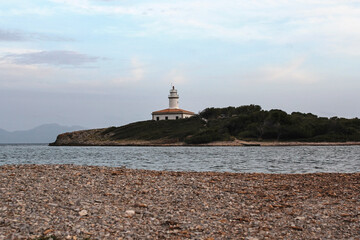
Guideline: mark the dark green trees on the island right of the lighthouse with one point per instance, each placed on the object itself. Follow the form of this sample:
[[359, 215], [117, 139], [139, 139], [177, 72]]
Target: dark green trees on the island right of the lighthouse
[[251, 122]]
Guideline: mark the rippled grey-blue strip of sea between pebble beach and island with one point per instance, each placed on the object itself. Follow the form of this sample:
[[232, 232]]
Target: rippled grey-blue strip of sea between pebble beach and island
[[231, 159]]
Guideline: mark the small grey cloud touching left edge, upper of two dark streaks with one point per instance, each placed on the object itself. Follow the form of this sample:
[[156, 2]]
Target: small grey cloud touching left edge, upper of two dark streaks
[[21, 36]]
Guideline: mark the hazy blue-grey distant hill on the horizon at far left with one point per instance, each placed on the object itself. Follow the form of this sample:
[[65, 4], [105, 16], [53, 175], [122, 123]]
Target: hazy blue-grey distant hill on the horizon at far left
[[42, 134]]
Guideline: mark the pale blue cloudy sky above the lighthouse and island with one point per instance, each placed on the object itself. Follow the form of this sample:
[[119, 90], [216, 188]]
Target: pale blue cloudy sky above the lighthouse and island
[[101, 63]]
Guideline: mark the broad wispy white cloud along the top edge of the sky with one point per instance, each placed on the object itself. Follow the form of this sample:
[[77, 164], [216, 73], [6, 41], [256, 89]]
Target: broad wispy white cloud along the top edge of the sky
[[275, 22]]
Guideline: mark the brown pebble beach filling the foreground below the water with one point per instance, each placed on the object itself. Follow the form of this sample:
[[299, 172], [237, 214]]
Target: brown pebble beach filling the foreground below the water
[[86, 202]]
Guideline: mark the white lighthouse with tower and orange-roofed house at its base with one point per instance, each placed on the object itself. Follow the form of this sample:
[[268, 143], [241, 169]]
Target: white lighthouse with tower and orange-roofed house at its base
[[173, 112]]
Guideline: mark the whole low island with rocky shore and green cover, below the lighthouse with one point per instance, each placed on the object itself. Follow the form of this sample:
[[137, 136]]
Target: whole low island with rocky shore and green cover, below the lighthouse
[[248, 125]]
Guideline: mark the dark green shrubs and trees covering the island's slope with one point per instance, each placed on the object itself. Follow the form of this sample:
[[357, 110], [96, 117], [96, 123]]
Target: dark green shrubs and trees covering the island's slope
[[246, 123]]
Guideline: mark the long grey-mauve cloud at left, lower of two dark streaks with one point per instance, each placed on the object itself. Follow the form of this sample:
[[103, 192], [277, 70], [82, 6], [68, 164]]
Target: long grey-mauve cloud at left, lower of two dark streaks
[[57, 58]]
